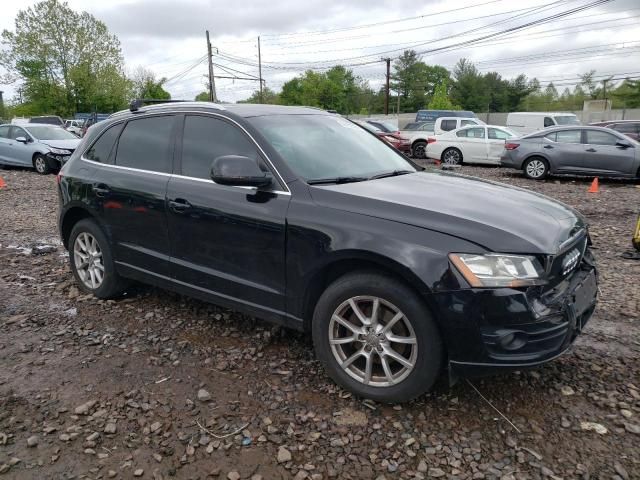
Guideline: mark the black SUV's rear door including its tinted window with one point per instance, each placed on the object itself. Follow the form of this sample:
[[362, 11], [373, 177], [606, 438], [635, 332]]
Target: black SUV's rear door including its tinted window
[[131, 189]]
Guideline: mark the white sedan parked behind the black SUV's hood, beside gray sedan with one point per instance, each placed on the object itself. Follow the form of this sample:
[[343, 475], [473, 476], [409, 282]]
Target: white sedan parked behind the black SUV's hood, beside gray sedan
[[471, 144]]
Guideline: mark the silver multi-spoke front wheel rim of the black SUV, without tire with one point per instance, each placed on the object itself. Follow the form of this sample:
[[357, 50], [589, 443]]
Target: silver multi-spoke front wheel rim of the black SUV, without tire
[[373, 341]]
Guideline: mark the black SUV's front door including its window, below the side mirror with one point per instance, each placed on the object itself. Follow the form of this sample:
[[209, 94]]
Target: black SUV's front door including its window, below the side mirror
[[227, 242]]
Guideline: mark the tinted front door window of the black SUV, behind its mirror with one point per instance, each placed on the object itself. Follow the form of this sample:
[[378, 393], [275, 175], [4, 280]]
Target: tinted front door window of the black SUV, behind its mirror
[[207, 138]]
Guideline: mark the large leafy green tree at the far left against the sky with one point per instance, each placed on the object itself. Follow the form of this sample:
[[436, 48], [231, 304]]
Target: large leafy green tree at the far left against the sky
[[61, 57]]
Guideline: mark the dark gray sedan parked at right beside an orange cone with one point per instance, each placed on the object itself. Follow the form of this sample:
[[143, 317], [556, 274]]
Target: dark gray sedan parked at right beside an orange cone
[[574, 150]]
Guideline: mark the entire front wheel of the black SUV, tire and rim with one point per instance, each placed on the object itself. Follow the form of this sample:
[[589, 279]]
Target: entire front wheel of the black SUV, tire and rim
[[376, 338]]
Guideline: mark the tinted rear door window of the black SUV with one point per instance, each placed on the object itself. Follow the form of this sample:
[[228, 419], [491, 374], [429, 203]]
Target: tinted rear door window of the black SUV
[[144, 144]]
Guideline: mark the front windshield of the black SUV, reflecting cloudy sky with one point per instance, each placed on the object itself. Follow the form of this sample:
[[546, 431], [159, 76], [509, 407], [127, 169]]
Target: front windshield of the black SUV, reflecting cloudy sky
[[320, 147]]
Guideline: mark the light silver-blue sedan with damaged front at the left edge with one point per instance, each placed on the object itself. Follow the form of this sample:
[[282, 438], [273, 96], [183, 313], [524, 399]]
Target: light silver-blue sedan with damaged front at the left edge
[[43, 147]]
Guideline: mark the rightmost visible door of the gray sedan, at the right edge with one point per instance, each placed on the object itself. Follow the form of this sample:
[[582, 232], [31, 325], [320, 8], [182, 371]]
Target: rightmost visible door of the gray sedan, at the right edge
[[602, 154]]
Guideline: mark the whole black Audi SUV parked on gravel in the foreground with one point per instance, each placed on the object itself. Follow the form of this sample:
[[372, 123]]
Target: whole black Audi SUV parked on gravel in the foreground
[[302, 218]]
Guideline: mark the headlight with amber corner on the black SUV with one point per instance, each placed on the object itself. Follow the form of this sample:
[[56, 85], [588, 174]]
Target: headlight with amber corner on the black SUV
[[498, 270]]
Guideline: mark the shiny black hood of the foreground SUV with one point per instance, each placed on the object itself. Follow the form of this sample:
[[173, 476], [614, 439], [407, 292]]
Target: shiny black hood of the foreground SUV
[[497, 217]]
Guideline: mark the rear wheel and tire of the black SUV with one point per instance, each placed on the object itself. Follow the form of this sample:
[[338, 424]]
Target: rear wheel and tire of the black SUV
[[92, 262]]
